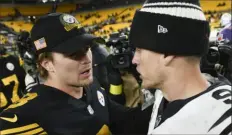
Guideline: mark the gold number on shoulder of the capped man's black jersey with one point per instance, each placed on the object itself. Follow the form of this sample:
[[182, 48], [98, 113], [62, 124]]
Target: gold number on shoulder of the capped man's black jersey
[[24, 100]]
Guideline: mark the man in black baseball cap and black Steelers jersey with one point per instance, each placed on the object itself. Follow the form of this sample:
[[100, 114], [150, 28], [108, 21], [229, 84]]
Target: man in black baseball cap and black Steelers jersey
[[70, 101]]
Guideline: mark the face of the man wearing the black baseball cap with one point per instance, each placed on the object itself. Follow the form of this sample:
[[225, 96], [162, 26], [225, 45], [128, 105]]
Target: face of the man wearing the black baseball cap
[[75, 69]]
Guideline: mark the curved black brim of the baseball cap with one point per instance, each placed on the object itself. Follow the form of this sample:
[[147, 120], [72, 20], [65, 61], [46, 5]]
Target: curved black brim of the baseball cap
[[74, 44]]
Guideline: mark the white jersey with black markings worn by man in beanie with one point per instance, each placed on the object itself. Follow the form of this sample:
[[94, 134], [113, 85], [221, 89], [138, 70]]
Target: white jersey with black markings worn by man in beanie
[[209, 113]]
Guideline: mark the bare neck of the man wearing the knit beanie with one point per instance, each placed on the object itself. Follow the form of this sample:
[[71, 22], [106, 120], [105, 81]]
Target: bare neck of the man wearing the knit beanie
[[183, 84]]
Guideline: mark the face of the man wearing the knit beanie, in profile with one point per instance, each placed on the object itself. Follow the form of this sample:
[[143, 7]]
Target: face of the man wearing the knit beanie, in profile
[[149, 66]]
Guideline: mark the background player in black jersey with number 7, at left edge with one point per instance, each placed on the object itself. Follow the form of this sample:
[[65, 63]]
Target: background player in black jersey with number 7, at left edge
[[12, 77]]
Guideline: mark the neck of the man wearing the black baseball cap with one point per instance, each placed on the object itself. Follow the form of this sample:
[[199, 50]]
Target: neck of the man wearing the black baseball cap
[[73, 91]]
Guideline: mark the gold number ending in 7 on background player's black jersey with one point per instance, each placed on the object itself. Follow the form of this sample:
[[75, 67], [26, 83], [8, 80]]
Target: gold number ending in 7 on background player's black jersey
[[6, 81]]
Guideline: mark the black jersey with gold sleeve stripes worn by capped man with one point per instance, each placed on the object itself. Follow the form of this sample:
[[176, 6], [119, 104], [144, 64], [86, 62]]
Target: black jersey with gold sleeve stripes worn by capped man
[[46, 110]]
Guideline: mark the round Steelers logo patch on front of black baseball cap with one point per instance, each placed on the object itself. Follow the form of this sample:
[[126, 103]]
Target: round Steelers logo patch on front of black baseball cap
[[69, 22]]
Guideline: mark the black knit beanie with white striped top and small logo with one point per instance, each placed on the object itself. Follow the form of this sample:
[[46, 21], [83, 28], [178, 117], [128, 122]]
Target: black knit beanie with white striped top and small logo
[[175, 27]]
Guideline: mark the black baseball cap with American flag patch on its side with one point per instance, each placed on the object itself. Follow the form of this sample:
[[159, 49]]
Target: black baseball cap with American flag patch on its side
[[59, 32]]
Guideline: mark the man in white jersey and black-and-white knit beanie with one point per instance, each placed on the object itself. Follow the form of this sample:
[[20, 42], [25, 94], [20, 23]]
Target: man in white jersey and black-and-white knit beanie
[[170, 39]]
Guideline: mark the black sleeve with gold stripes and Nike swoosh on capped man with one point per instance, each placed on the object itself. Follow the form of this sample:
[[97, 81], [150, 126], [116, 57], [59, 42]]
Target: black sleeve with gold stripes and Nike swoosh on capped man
[[19, 118]]
